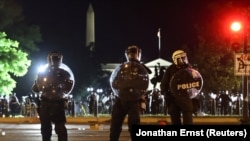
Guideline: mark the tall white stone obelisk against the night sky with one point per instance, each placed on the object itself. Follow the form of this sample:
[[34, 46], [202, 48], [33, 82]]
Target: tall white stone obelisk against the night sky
[[90, 28]]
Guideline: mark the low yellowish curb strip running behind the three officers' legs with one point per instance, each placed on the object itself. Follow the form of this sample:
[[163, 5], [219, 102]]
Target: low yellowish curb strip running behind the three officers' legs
[[145, 119]]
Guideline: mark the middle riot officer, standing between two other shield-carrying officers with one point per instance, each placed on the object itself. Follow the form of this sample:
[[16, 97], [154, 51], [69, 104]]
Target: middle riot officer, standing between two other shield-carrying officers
[[129, 81]]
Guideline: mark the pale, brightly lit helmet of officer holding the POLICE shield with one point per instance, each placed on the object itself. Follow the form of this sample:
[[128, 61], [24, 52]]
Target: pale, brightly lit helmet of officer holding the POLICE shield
[[180, 57]]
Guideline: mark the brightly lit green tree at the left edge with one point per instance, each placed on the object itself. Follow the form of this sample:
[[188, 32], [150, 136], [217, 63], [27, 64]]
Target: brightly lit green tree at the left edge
[[13, 62]]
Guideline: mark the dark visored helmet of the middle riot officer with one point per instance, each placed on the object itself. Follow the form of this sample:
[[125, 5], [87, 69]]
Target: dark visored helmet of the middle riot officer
[[133, 53]]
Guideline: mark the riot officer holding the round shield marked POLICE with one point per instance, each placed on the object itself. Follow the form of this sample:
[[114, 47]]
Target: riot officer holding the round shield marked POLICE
[[179, 101]]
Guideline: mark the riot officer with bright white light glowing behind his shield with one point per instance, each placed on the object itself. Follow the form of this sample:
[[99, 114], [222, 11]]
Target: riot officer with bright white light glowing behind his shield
[[54, 83]]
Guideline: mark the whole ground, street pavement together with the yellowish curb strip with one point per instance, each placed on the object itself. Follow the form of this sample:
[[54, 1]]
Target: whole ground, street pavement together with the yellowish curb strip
[[89, 128]]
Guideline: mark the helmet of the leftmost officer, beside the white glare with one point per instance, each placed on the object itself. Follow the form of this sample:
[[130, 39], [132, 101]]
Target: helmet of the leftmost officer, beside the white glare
[[55, 58]]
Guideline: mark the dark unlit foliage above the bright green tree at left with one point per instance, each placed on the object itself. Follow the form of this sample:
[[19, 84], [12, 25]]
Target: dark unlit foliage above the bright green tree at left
[[14, 24]]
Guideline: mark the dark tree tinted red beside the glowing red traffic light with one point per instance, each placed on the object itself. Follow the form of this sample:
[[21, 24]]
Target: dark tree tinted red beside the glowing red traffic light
[[214, 57]]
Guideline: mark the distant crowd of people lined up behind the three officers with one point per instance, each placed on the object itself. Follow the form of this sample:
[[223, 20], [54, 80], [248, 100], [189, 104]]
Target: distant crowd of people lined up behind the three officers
[[222, 103]]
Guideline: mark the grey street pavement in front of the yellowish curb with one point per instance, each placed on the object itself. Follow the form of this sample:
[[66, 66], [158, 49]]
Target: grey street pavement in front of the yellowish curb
[[76, 132]]
